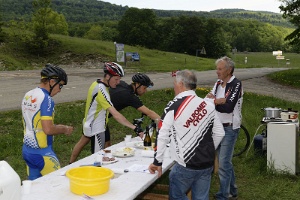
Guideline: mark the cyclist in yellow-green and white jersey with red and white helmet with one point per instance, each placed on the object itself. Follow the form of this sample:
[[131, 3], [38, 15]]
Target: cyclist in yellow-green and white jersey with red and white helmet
[[98, 106]]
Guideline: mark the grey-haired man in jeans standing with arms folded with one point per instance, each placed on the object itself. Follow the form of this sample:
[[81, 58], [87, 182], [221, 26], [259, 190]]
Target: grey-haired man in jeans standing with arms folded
[[227, 94]]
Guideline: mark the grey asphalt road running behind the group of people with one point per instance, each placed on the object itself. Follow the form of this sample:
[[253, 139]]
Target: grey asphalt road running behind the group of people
[[14, 84]]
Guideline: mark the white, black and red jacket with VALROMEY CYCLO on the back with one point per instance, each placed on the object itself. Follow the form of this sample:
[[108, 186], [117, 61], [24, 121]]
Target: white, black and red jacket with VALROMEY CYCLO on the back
[[195, 131]]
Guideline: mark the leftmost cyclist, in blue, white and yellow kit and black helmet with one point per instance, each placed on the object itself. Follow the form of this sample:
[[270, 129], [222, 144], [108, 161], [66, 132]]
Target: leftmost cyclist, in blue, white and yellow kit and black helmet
[[39, 128]]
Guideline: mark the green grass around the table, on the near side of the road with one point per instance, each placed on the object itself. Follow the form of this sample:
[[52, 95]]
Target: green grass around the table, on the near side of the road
[[253, 178]]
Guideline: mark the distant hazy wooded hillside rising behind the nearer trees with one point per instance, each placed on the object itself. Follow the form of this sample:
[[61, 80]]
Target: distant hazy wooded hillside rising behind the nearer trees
[[94, 11]]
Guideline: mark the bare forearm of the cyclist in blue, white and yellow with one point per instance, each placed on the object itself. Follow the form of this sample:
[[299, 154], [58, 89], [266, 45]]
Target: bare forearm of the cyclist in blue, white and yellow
[[51, 129]]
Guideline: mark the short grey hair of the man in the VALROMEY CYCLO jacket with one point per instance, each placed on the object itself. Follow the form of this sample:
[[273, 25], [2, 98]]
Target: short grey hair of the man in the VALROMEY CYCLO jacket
[[188, 78]]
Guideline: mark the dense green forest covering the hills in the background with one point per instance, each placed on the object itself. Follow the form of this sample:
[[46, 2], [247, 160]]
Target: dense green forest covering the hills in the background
[[219, 32]]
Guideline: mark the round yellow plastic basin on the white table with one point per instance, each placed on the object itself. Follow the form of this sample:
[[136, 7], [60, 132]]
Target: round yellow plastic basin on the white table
[[89, 180]]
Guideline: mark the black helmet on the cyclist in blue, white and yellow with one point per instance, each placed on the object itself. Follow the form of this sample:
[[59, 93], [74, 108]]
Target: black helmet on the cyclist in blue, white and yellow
[[54, 72]]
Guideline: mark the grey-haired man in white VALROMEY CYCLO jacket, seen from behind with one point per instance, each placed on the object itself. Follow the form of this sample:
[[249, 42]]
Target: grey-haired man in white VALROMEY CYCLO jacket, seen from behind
[[195, 131]]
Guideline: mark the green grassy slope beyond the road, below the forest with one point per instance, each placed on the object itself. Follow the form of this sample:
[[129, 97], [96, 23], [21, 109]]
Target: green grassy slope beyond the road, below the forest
[[80, 50]]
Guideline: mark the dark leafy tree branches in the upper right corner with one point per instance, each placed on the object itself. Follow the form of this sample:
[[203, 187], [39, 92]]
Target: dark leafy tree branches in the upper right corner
[[291, 12]]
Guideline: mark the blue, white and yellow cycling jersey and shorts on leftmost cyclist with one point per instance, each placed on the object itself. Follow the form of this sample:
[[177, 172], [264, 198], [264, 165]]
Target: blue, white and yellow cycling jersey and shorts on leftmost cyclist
[[37, 150]]
